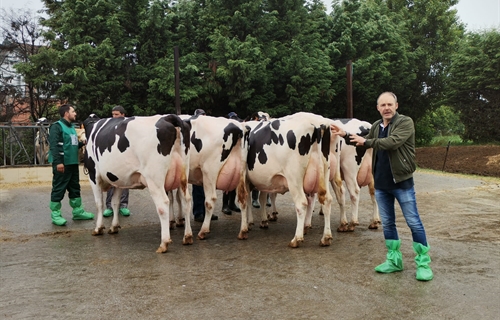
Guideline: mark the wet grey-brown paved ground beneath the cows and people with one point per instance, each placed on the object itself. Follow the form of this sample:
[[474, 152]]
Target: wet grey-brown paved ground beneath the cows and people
[[49, 272]]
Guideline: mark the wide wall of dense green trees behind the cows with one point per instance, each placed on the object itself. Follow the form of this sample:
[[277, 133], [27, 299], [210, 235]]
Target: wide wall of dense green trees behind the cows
[[245, 55]]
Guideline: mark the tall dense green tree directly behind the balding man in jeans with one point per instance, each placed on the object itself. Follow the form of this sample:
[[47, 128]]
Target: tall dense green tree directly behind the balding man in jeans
[[369, 34]]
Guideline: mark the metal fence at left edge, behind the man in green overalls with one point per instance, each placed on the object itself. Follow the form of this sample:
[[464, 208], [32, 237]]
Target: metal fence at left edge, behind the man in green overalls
[[22, 145]]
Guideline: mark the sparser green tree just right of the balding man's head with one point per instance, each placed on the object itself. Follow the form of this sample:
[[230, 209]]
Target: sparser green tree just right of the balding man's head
[[433, 32]]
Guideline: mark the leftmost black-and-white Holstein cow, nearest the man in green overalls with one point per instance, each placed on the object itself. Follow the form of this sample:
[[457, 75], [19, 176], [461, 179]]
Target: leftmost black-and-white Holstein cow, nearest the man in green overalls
[[139, 152]]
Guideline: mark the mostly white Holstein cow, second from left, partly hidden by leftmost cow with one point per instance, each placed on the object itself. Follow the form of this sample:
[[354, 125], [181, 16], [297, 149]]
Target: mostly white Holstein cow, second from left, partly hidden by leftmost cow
[[217, 159]]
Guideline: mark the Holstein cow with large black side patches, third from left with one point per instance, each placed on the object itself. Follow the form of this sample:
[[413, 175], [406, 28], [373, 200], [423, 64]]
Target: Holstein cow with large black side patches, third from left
[[290, 154]]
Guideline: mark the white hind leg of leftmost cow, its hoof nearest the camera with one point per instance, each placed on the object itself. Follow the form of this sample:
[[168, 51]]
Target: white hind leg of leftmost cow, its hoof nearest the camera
[[162, 206]]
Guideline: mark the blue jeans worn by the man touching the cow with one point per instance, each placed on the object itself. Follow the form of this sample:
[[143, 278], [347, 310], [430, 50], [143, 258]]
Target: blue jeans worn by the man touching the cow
[[408, 203]]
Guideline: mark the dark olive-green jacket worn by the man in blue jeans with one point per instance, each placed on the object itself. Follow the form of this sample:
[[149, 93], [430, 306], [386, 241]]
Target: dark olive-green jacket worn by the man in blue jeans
[[399, 144]]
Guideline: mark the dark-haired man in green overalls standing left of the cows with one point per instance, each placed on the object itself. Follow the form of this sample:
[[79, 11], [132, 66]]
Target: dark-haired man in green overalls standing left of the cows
[[63, 155]]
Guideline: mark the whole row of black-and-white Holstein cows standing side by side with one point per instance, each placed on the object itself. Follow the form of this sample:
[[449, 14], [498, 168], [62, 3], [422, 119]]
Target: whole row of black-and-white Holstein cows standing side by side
[[165, 153]]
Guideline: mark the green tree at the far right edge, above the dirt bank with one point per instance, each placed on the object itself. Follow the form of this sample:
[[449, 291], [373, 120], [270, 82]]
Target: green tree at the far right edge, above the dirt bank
[[474, 85]]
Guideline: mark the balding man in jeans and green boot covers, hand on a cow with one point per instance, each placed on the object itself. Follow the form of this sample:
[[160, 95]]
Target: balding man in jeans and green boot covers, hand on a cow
[[393, 141]]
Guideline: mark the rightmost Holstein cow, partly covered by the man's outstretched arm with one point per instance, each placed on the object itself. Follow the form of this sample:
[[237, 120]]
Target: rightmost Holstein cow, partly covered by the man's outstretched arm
[[355, 170]]
